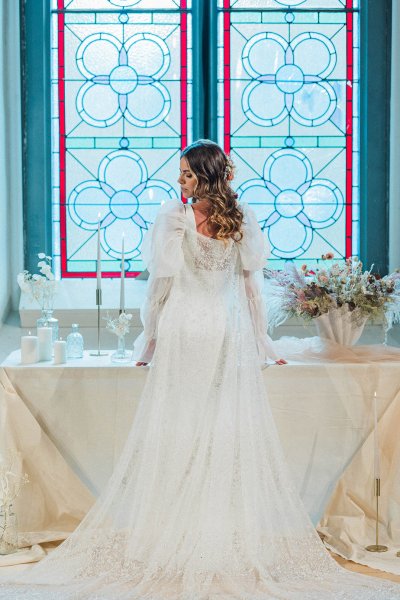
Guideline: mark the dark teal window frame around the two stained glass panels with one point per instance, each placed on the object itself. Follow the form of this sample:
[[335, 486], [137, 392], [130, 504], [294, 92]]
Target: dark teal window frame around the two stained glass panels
[[375, 73]]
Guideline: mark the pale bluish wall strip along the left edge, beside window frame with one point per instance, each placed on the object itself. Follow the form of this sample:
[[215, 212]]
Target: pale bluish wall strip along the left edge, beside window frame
[[11, 230]]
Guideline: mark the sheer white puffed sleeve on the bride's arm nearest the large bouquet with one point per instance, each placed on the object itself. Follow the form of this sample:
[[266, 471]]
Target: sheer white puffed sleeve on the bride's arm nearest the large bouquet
[[254, 251]]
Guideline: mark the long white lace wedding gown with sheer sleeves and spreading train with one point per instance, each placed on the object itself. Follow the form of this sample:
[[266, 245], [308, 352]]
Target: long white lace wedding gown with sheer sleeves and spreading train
[[201, 505]]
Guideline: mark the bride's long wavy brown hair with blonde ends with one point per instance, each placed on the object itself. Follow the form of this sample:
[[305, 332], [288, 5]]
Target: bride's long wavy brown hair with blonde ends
[[214, 171]]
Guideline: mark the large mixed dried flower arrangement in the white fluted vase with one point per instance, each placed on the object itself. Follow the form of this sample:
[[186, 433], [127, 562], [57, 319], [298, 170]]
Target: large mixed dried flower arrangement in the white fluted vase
[[309, 294]]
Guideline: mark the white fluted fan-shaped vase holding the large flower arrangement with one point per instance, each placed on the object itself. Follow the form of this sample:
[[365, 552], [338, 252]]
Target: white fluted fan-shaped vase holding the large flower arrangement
[[341, 325]]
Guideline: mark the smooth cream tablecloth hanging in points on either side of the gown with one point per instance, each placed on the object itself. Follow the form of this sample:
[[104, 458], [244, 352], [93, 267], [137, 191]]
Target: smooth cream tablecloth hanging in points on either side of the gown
[[323, 413]]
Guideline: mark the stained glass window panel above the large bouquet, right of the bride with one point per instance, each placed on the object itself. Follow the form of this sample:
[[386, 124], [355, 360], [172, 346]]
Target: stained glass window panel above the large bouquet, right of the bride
[[288, 113]]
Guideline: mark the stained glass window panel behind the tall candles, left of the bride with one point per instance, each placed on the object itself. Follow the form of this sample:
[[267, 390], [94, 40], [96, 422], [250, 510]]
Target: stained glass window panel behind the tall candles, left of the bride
[[121, 112]]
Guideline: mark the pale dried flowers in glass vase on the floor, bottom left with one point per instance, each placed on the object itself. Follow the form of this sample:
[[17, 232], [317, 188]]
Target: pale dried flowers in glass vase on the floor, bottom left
[[11, 482]]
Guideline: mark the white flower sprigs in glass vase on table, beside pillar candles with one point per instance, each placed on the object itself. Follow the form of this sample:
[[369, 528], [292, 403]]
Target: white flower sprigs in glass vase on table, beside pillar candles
[[40, 287]]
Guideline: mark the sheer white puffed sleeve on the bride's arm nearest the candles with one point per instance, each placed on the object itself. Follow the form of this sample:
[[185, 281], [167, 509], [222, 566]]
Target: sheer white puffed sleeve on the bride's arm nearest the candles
[[163, 257]]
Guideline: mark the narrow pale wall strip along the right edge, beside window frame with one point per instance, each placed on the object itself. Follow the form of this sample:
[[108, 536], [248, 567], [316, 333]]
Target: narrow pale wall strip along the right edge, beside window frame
[[394, 206]]
